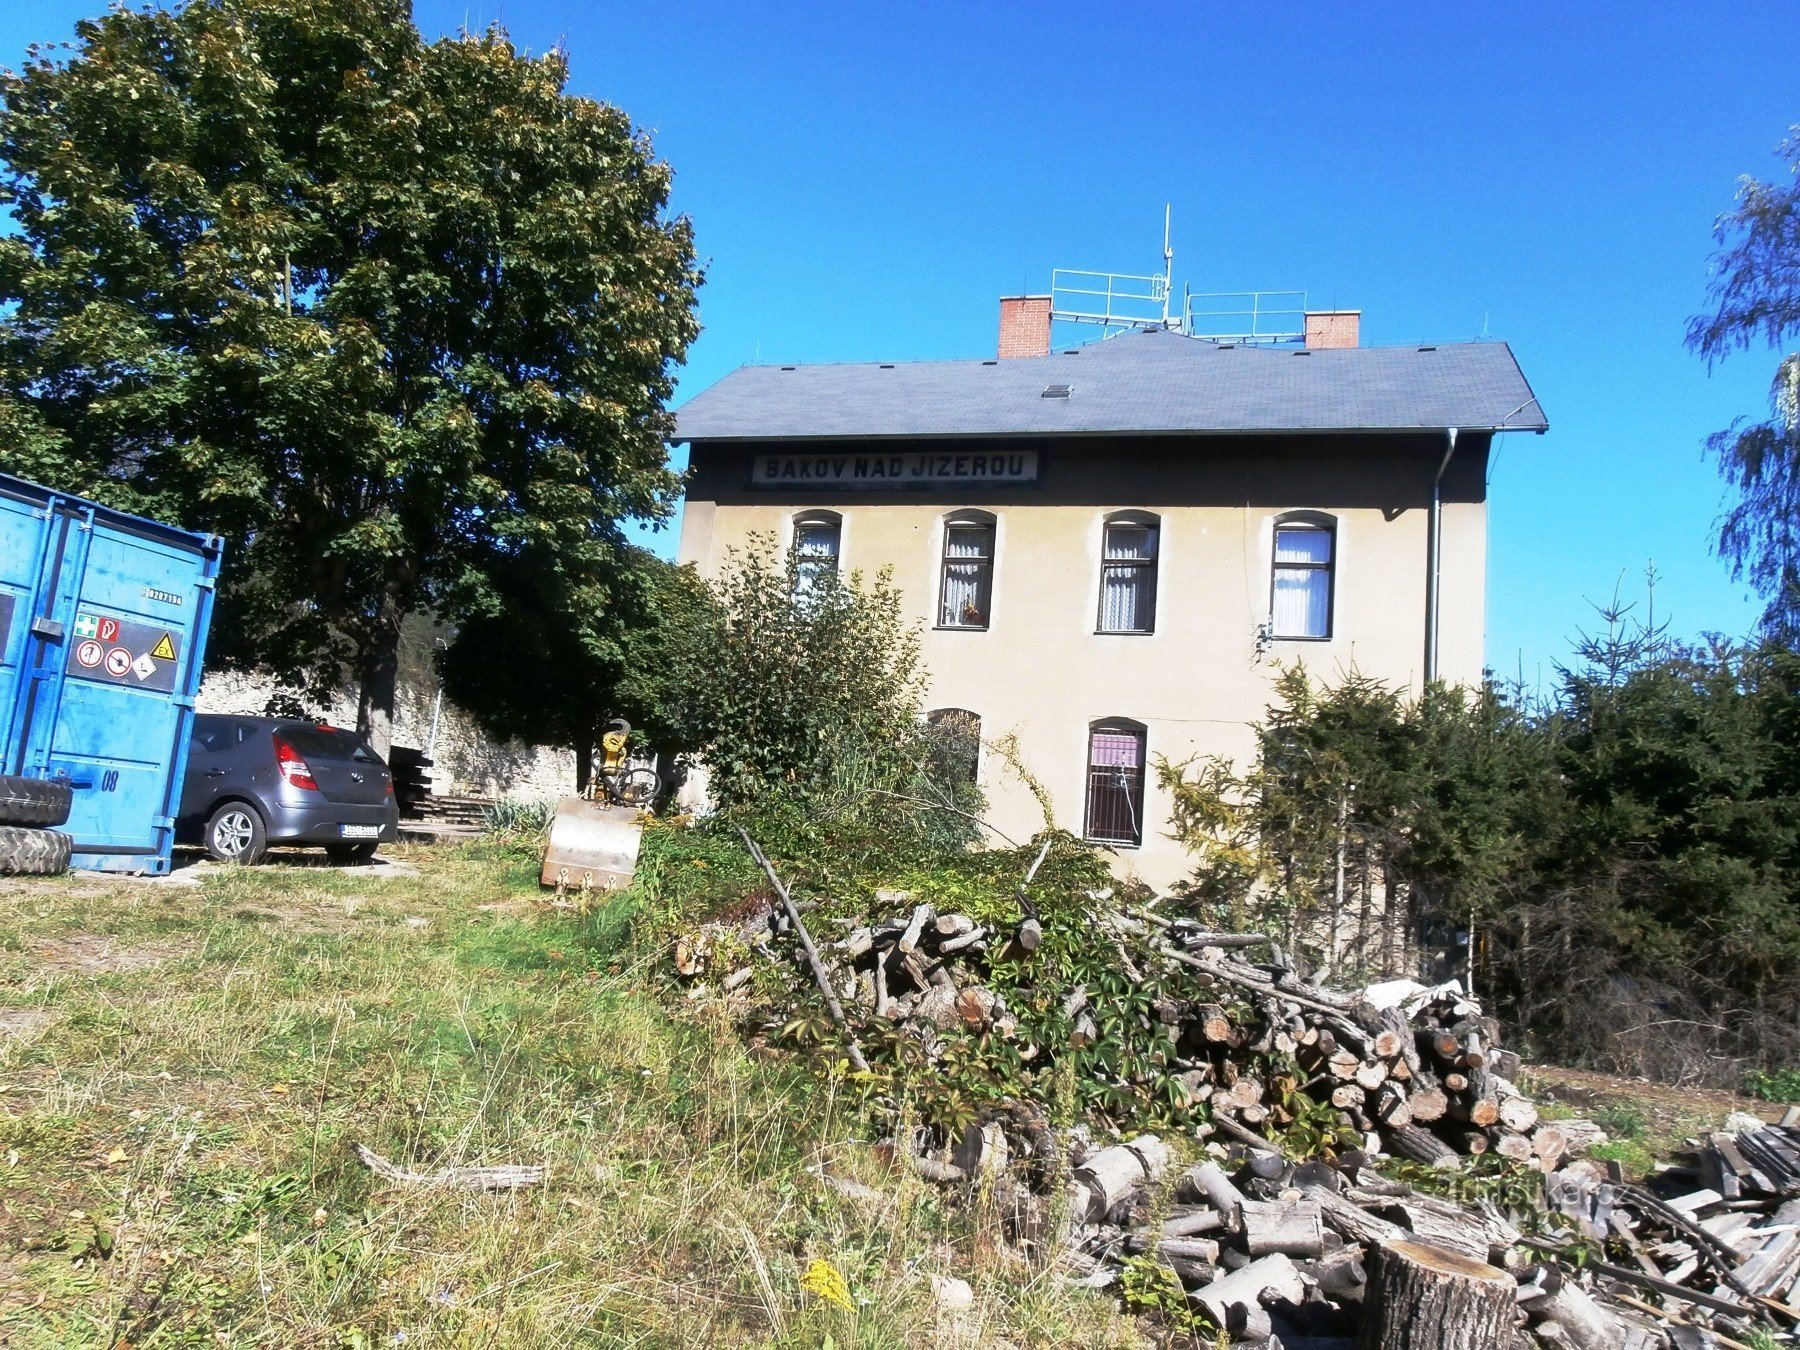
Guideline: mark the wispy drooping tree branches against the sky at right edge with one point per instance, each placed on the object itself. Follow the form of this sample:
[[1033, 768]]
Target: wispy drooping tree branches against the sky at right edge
[[1756, 289]]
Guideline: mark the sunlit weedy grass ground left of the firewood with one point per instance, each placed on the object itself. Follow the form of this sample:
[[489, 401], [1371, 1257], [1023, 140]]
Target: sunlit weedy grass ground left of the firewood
[[183, 1070]]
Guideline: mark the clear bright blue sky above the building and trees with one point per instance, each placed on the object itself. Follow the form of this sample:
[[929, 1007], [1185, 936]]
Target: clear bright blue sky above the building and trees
[[868, 179]]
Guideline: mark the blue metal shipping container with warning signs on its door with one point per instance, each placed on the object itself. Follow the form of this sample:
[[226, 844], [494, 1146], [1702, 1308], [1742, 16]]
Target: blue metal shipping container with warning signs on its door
[[103, 629]]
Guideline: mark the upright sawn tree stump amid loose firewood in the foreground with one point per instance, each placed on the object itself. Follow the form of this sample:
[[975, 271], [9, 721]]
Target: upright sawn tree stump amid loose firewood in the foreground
[[1423, 1299]]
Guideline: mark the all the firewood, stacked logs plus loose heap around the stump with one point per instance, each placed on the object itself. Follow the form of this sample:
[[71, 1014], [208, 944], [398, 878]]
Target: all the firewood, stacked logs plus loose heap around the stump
[[1315, 1252]]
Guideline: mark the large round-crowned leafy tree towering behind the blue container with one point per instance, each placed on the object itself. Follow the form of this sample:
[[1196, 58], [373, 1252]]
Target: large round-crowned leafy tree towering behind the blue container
[[388, 314]]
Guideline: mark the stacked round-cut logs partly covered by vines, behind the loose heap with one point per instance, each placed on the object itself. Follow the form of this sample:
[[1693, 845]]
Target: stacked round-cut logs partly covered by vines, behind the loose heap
[[1416, 1072]]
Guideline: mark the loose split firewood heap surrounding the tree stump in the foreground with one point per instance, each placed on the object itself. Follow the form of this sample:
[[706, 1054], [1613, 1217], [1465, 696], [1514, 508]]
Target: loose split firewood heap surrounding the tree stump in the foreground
[[1331, 1255]]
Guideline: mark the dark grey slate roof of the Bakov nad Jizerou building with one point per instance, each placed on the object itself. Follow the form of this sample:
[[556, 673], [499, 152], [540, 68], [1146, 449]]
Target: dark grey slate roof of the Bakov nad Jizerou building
[[1140, 382]]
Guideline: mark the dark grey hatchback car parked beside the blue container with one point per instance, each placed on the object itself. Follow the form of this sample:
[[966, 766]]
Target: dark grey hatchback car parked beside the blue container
[[262, 780]]
